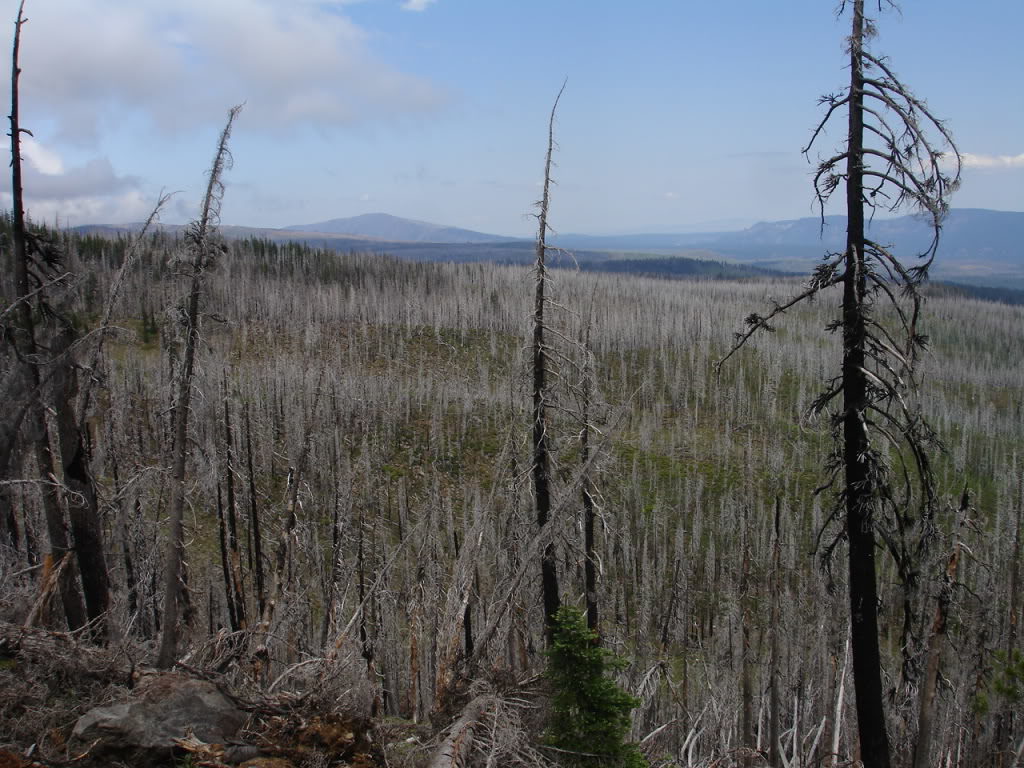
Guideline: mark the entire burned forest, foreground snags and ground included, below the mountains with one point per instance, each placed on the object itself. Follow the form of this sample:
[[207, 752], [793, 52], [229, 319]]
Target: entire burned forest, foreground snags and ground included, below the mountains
[[310, 508]]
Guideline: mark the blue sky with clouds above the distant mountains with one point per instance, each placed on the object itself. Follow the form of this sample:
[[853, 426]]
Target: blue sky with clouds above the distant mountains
[[677, 115]]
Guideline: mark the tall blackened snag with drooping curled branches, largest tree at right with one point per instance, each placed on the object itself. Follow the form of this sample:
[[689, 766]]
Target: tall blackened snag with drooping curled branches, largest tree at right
[[897, 154]]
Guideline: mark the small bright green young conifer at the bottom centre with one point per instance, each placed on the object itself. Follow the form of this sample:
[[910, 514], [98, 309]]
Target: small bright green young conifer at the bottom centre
[[590, 718]]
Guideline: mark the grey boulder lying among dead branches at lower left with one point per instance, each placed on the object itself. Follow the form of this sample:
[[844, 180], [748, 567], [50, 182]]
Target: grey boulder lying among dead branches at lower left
[[164, 708]]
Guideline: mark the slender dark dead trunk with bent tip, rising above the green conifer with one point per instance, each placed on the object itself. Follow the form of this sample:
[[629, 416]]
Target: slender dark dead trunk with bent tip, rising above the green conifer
[[542, 445]]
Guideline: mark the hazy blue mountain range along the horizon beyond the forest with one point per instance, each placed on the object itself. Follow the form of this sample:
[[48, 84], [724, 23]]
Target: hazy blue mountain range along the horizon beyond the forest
[[979, 247]]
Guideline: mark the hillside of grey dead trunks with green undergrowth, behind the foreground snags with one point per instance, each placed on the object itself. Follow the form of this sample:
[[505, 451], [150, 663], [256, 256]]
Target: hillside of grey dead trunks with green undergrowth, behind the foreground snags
[[359, 522]]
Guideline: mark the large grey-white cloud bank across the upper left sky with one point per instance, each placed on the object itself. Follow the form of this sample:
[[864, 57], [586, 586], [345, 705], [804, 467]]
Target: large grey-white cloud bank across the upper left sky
[[184, 64]]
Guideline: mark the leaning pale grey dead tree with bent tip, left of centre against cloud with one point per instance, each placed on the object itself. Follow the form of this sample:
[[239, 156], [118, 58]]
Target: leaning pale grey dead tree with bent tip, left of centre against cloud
[[199, 238]]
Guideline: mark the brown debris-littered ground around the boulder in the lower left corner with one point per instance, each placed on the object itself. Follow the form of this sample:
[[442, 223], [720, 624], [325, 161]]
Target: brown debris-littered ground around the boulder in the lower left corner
[[50, 680]]
